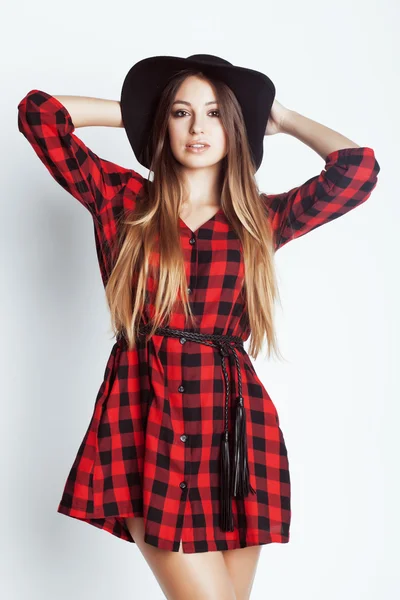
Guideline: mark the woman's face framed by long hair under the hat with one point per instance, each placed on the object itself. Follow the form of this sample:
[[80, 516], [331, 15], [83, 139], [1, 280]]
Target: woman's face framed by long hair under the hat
[[195, 116]]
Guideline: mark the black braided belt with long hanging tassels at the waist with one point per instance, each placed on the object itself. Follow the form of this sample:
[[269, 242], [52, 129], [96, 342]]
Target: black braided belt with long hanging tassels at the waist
[[235, 484]]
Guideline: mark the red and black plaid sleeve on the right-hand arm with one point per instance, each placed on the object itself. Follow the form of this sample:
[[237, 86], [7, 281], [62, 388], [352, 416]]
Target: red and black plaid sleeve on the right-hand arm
[[349, 176]]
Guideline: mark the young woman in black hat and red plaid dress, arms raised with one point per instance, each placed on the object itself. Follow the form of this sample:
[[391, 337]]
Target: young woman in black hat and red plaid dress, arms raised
[[184, 454]]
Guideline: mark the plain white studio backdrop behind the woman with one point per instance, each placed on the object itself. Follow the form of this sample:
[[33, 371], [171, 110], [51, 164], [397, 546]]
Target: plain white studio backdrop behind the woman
[[338, 327]]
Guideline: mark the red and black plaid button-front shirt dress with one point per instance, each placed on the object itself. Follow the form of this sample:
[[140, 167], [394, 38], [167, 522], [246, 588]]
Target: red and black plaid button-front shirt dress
[[152, 446]]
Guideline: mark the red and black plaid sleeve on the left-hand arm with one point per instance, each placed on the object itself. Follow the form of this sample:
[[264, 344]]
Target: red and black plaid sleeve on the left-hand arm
[[48, 127]]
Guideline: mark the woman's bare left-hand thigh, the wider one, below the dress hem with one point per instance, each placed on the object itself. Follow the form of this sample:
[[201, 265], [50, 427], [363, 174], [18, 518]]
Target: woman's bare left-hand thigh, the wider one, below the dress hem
[[184, 575]]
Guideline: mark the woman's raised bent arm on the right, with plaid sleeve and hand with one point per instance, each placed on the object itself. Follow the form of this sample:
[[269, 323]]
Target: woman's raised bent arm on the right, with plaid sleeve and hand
[[349, 176]]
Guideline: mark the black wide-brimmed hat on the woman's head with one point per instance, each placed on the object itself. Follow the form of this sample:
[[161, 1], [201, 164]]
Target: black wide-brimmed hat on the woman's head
[[145, 81]]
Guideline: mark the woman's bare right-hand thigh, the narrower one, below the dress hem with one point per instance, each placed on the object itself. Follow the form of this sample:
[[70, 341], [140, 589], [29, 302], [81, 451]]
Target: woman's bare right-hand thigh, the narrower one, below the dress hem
[[242, 564]]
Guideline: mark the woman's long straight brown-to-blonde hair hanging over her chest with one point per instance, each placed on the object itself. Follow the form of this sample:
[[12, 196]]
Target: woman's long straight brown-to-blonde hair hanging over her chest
[[149, 265]]
